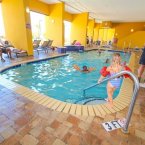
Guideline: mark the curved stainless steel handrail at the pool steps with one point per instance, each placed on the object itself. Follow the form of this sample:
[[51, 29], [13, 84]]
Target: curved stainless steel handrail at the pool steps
[[135, 93]]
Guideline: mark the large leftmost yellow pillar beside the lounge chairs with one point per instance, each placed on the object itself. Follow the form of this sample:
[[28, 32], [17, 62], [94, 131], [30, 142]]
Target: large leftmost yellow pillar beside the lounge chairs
[[15, 20]]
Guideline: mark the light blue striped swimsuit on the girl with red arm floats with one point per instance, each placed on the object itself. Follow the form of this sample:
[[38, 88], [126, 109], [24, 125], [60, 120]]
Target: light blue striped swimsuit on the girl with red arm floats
[[115, 82]]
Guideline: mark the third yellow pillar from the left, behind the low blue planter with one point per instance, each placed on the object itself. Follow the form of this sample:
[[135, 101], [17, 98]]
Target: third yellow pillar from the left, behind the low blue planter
[[79, 28]]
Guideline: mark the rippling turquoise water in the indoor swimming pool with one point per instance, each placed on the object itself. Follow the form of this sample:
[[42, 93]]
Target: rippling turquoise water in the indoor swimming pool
[[58, 79]]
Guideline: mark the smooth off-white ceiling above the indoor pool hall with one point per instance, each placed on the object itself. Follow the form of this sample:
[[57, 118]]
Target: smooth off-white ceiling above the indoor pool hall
[[107, 10]]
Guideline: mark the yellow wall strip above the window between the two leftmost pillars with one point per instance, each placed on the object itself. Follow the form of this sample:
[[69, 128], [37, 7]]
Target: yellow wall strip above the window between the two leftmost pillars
[[39, 7]]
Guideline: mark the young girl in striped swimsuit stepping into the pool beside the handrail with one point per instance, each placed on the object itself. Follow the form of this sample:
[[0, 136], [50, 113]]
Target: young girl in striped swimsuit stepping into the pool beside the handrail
[[113, 69]]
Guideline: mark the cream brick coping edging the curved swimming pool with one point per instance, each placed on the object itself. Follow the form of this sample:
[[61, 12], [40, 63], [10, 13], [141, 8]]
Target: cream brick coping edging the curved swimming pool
[[83, 110]]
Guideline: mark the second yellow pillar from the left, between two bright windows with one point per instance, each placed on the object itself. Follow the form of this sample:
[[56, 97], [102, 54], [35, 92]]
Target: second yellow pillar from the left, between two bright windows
[[55, 25]]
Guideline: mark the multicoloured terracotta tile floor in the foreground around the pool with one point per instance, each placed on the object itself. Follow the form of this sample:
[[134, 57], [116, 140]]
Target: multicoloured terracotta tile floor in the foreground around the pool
[[23, 122]]
